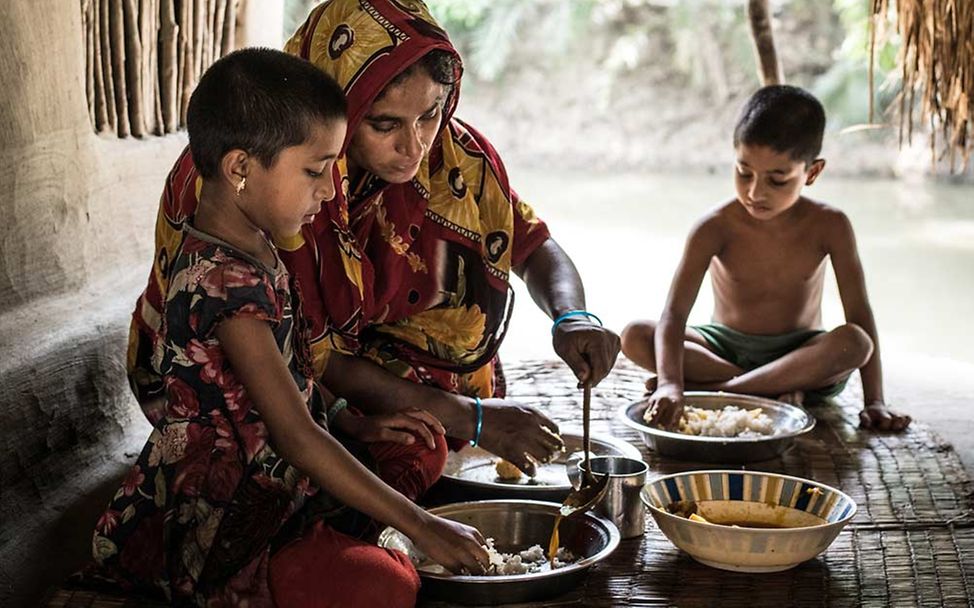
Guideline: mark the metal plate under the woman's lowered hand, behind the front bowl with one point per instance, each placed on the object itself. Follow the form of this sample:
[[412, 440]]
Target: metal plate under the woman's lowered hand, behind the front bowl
[[471, 475]]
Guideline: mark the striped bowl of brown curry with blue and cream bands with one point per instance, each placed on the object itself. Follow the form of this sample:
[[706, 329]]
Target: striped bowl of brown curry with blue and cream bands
[[778, 502]]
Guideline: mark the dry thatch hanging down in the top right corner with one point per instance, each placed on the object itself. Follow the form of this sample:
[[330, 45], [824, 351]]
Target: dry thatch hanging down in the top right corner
[[937, 63]]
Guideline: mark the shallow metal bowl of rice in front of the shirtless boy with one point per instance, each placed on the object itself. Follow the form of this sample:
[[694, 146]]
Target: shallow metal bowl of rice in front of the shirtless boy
[[790, 421]]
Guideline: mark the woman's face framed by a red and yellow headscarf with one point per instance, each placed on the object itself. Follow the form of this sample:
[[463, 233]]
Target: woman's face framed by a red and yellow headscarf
[[399, 129]]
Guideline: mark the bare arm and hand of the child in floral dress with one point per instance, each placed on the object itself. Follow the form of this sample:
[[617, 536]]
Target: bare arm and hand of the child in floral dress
[[257, 363]]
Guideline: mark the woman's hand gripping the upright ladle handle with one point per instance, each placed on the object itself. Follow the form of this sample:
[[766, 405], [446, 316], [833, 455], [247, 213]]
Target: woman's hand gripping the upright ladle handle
[[589, 350]]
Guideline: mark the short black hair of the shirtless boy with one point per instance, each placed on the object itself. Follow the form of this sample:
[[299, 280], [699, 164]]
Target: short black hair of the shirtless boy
[[784, 118]]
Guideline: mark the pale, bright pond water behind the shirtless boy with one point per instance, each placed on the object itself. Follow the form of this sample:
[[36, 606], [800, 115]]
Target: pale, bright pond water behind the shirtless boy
[[626, 234]]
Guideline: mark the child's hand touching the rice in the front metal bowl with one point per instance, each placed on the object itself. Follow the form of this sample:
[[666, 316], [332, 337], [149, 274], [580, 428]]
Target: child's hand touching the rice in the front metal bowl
[[456, 547]]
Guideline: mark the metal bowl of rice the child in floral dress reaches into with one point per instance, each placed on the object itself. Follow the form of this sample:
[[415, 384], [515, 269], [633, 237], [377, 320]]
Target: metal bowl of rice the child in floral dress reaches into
[[514, 525]]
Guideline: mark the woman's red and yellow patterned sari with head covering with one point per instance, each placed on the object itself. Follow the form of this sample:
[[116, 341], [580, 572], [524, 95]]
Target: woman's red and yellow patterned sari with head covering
[[414, 276]]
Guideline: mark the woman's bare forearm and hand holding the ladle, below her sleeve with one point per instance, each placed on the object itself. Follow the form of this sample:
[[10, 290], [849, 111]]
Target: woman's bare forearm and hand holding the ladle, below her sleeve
[[556, 287]]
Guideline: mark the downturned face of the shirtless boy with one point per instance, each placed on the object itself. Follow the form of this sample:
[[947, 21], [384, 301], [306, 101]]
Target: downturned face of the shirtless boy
[[769, 182]]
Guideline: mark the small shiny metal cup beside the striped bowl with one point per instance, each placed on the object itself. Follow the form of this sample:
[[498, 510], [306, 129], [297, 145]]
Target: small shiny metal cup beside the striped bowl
[[621, 504]]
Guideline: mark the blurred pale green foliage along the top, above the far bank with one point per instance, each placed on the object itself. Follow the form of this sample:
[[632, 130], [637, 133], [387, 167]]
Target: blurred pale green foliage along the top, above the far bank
[[622, 36]]
